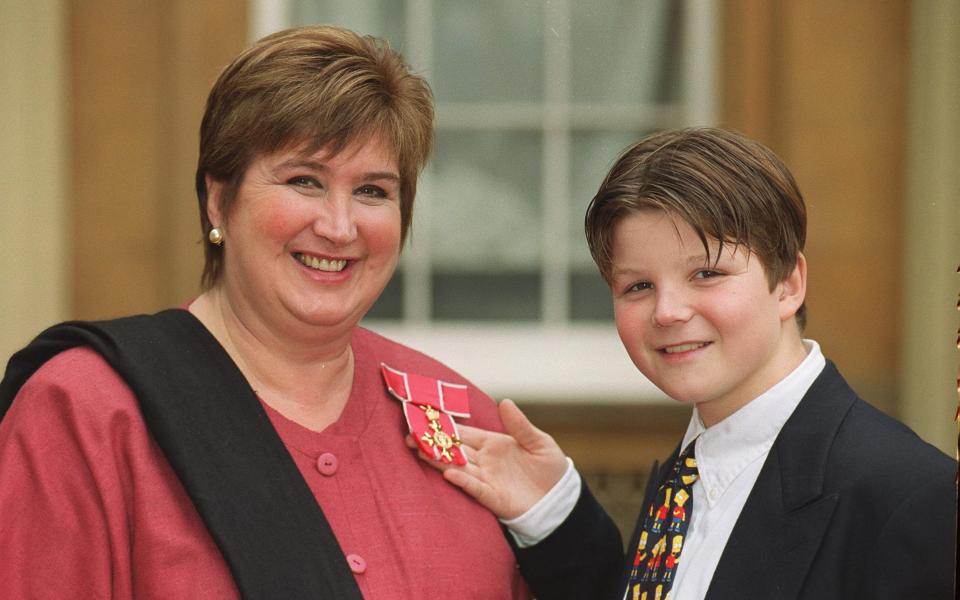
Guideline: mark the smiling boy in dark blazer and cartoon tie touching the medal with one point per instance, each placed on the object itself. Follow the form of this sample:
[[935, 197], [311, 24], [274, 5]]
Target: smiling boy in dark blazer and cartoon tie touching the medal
[[788, 485]]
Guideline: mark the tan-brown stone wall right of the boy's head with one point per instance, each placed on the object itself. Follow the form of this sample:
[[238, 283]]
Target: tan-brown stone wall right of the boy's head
[[824, 83]]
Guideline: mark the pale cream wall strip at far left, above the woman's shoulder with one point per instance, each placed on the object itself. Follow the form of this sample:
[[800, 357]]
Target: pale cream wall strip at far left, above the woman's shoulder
[[34, 208]]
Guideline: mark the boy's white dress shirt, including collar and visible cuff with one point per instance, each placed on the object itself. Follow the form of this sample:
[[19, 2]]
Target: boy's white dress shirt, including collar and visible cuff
[[729, 456]]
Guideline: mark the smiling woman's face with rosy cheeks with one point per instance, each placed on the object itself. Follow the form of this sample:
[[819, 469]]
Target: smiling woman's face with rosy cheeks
[[311, 239]]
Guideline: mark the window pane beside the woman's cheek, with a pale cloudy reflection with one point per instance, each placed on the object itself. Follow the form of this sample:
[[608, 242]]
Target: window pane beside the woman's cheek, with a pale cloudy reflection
[[484, 202]]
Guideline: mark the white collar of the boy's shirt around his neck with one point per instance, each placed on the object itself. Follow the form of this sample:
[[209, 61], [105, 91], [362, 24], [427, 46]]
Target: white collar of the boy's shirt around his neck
[[724, 450]]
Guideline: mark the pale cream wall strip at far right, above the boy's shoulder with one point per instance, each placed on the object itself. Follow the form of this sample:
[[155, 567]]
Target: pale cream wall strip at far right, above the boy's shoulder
[[932, 226]]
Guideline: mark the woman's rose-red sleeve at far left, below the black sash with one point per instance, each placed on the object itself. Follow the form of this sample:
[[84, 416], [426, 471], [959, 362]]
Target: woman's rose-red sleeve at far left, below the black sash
[[54, 530]]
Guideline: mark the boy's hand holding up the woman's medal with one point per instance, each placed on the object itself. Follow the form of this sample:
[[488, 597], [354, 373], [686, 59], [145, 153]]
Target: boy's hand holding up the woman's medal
[[505, 472]]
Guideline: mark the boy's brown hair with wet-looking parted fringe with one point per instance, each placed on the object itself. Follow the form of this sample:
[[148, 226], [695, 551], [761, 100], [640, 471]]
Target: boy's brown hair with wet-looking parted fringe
[[725, 186]]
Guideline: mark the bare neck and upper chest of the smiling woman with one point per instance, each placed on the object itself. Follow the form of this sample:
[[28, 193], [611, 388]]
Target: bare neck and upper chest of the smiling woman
[[307, 379]]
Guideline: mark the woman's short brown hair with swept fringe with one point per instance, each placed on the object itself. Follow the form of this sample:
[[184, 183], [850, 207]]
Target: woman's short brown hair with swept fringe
[[322, 86]]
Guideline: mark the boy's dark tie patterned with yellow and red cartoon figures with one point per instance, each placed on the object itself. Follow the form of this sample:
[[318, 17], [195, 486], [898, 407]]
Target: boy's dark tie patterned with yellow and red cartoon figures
[[664, 529]]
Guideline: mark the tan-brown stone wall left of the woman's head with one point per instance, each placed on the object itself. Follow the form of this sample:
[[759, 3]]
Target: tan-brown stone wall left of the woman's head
[[140, 72]]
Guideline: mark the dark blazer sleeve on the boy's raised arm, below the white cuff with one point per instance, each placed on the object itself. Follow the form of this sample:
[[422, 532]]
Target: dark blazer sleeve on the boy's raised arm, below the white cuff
[[582, 558]]
